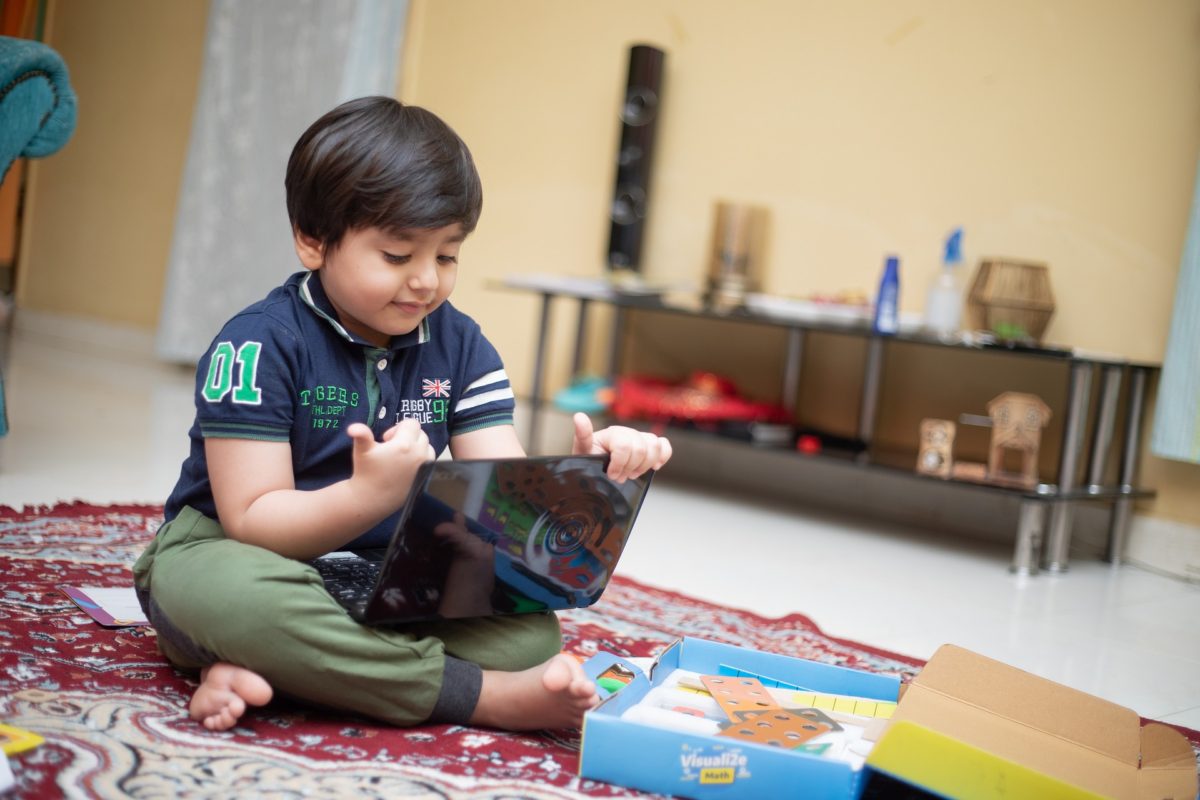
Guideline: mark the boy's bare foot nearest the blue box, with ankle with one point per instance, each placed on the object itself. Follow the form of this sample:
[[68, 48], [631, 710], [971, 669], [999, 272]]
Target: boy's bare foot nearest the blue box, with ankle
[[553, 695]]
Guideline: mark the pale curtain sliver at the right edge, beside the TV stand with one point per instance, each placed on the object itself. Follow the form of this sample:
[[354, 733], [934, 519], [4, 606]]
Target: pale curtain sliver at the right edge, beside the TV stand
[[1178, 417]]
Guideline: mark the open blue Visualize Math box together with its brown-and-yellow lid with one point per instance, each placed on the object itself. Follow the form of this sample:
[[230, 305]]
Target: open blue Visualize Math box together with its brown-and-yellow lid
[[967, 727]]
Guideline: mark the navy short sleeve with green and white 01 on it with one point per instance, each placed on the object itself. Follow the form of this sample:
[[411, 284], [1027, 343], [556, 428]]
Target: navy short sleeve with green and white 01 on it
[[245, 384]]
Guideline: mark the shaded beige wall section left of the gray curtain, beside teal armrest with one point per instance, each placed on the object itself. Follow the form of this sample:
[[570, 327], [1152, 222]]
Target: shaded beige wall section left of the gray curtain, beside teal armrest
[[104, 209]]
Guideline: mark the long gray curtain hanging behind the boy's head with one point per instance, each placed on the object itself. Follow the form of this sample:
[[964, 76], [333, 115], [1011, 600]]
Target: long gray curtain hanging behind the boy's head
[[271, 69]]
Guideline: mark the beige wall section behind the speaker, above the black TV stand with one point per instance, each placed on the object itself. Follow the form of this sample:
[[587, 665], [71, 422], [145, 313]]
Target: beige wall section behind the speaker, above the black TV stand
[[1063, 133]]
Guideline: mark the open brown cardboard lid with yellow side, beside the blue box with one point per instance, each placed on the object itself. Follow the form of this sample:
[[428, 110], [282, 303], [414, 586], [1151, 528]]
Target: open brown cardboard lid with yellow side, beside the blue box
[[973, 727]]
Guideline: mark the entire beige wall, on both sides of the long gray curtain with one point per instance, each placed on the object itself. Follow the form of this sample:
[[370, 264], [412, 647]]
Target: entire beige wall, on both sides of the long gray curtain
[[1052, 130]]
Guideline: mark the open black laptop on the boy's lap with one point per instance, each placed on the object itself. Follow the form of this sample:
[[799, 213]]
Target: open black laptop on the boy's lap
[[493, 537]]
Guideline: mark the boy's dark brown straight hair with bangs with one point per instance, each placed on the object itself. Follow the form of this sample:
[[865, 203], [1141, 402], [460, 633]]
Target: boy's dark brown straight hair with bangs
[[375, 163]]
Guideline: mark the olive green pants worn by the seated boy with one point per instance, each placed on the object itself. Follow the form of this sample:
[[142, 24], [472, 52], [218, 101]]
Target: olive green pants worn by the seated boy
[[213, 599]]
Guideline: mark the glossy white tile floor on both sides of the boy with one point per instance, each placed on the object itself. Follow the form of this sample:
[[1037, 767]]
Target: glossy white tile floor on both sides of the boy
[[105, 429]]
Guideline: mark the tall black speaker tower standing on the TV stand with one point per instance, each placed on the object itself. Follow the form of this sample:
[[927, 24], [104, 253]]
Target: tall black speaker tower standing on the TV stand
[[639, 119]]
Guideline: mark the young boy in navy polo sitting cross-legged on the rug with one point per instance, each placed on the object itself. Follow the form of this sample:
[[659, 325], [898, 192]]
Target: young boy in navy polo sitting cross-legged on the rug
[[315, 408]]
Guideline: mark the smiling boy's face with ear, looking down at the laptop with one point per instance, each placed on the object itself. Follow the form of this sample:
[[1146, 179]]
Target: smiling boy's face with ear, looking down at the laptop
[[383, 285]]
